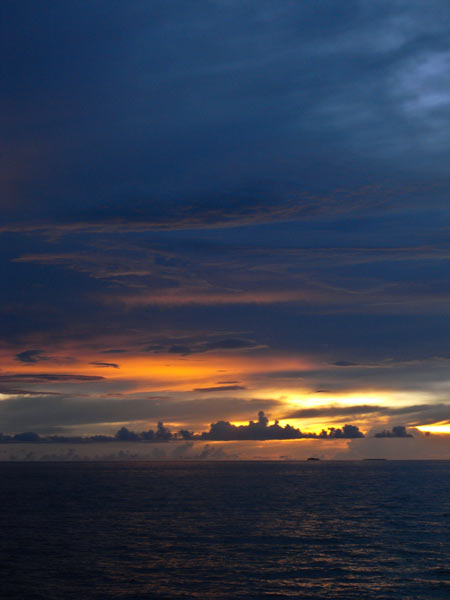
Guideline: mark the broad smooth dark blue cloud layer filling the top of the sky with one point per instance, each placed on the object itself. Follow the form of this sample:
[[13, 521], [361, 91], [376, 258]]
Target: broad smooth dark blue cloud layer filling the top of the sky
[[229, 95]]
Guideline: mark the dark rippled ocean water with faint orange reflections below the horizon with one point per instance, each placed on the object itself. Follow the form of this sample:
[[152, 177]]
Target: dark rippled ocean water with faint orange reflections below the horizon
[[216, 530]]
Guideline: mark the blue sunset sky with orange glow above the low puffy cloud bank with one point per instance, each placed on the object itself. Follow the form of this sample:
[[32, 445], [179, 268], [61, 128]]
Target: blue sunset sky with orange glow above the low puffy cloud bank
[[214, 208]]
